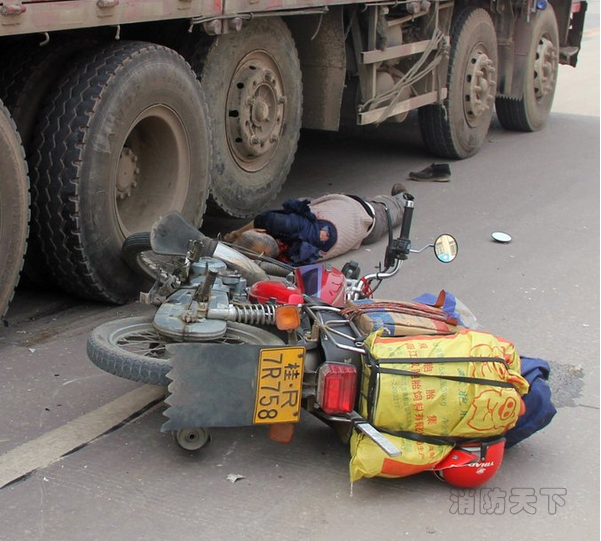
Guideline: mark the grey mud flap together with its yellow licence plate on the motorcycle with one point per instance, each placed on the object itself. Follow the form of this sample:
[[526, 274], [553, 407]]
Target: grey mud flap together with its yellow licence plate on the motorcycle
[[224, 385]]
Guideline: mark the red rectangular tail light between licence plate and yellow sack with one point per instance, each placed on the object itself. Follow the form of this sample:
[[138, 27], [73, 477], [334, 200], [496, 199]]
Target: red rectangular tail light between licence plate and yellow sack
[[336, 388]]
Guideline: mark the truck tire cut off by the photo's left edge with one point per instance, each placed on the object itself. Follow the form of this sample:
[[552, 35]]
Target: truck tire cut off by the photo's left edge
[[14, 208]]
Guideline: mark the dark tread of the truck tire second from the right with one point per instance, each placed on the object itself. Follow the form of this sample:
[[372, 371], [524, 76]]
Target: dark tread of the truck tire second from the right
[[436, 130]]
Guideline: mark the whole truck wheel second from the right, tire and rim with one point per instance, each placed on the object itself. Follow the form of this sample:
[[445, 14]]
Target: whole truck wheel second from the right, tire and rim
[[458, 128]]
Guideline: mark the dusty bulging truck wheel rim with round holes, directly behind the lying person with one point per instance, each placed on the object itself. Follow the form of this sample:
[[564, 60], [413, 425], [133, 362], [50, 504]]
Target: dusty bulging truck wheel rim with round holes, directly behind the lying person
[[255, 111]]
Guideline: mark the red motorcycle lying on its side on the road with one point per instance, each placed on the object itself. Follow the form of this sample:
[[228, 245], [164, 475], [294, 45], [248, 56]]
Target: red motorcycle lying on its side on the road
[[238, 348]]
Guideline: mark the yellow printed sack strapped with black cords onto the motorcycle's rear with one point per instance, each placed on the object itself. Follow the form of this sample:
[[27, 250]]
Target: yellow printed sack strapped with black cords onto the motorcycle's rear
[[436, 389]]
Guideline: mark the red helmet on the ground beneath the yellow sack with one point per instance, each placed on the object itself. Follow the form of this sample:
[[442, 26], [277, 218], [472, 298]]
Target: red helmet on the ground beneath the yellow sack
[[471, 464]]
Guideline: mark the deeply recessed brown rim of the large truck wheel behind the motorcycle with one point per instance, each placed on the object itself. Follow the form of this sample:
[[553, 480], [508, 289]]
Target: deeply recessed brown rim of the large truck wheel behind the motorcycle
[[153, 169]]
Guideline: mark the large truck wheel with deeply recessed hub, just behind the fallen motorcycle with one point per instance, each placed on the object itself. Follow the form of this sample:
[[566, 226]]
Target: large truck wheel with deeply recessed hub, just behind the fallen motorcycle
[[123, 140]]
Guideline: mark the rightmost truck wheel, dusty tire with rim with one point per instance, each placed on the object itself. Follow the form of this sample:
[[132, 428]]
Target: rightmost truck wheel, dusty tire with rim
[[530, 112]]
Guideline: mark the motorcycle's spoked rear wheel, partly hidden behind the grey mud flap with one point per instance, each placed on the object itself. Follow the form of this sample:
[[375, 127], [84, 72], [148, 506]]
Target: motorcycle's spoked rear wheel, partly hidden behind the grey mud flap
[[132, 349]]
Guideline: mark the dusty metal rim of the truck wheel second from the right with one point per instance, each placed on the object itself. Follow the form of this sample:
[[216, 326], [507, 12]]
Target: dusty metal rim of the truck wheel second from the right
[[479, 85]]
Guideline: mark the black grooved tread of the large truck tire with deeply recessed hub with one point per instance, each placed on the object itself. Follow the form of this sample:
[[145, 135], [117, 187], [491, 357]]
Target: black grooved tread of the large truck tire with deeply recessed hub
[[56, 175]]
